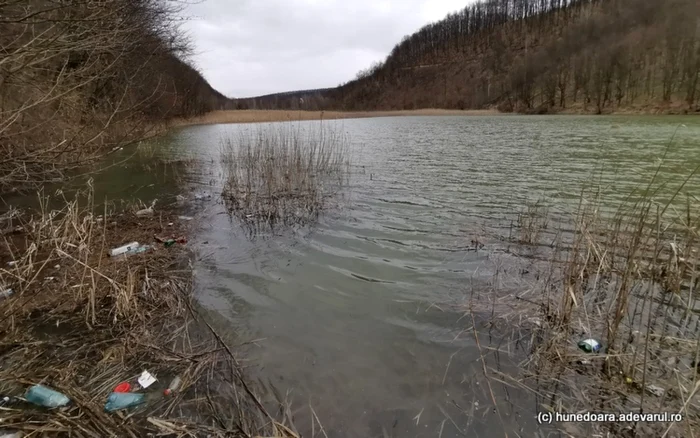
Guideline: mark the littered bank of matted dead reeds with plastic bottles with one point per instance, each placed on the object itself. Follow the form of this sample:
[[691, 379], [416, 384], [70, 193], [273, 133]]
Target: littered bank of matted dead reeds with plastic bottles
[[99, 335]]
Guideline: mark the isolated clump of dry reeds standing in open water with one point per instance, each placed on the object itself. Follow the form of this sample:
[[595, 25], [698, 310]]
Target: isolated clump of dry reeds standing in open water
[[283, 174]]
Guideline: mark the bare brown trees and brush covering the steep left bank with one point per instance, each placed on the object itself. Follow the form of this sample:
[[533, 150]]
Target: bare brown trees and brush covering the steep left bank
[[79, 77]]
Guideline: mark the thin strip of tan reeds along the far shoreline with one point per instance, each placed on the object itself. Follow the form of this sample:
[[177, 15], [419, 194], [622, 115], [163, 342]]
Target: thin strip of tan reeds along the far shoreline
[[261, 116]]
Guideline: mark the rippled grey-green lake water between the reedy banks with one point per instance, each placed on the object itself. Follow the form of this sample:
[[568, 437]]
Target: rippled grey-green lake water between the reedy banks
[[360, 314]]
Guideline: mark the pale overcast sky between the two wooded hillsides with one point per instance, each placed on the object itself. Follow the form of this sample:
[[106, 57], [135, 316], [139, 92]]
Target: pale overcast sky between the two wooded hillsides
[[254, 47]]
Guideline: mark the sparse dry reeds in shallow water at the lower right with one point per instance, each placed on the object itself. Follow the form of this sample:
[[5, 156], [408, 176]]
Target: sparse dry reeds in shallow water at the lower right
[[626, 276]]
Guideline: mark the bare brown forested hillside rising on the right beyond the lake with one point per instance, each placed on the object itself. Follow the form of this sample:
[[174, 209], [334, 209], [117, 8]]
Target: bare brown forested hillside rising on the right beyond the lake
[[541, 56]]
